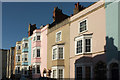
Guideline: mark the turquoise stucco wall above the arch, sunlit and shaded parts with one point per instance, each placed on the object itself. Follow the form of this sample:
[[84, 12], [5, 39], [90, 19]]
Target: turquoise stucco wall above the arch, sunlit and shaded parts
[[112, 30]]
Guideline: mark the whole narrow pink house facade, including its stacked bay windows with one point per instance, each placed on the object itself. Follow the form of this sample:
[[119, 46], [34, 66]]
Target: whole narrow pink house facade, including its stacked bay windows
[[39, 51]]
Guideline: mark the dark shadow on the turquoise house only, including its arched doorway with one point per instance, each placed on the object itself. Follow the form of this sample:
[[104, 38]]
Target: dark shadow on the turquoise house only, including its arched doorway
[[113, 59]]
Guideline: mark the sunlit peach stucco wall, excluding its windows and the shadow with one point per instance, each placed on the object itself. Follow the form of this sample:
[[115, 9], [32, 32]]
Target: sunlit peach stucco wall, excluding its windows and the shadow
[[95, 15]]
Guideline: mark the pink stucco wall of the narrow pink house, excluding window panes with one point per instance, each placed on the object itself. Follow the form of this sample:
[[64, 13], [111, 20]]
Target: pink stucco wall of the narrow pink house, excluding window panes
[[43, 49]]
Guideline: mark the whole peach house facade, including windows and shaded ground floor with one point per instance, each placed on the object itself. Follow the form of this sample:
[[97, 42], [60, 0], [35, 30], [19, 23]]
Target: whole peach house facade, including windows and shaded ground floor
[[87, 42]]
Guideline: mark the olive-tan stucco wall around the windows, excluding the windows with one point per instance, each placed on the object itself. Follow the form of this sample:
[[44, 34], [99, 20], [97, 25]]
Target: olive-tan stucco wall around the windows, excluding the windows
[[51, 41]]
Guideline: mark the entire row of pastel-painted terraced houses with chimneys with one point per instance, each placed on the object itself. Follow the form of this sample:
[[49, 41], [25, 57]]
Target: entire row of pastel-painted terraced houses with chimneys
[[81, 46]]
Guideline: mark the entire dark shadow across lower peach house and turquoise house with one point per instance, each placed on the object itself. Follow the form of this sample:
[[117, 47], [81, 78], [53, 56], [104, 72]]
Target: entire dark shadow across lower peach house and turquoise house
[[99, 66]]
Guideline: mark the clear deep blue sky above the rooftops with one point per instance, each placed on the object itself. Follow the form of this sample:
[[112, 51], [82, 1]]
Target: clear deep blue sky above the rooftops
[[16, 17]]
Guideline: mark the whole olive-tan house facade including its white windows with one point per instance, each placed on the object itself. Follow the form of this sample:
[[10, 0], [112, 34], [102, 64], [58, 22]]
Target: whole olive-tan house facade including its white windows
[[58, 49]]
